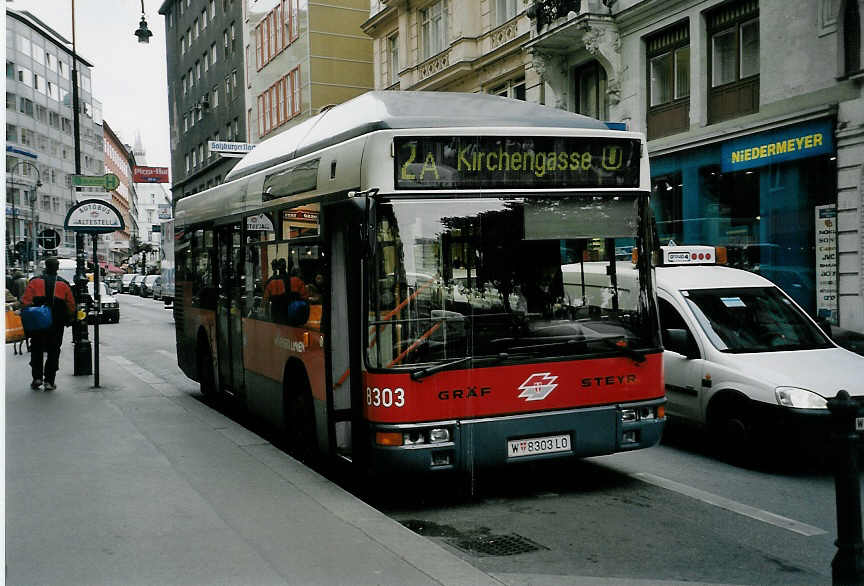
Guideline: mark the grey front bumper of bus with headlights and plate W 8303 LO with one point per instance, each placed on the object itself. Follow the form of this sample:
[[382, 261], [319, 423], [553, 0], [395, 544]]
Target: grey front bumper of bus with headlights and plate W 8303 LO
[[508, 440]]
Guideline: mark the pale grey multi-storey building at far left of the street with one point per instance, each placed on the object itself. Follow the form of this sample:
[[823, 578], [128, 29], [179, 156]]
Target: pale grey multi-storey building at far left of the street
[[40, 151]]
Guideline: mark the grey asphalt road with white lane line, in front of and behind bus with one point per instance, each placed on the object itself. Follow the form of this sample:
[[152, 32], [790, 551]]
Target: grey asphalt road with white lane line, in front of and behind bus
[[673, 512]]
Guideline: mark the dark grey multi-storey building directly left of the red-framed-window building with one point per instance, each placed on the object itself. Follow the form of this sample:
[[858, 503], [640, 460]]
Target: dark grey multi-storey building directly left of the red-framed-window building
[[206, 98]]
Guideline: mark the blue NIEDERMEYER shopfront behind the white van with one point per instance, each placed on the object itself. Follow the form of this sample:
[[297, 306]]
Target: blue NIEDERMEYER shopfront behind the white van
[[769, 197]]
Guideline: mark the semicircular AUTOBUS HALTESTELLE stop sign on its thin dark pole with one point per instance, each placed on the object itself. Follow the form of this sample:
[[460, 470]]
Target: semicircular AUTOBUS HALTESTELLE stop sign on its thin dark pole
[[94, 217]]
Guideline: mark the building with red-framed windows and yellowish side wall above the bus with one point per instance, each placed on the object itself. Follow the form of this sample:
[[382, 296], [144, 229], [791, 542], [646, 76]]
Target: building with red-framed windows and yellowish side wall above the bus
[[302, 56]]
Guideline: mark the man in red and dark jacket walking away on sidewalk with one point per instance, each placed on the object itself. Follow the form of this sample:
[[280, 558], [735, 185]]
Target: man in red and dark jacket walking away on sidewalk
[[62, 304]]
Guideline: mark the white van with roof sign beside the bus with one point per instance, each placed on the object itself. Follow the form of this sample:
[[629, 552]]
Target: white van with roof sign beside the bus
[[741, 357]]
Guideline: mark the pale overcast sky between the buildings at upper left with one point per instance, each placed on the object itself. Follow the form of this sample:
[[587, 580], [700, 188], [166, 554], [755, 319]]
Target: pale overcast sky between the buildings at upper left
[[129, 78]]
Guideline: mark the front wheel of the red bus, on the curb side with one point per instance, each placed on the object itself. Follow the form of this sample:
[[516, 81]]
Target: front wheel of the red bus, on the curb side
[[299, 416]]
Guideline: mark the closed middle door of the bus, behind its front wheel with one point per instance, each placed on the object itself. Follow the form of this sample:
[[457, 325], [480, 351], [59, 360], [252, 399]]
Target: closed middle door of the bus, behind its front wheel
[[229, 307]]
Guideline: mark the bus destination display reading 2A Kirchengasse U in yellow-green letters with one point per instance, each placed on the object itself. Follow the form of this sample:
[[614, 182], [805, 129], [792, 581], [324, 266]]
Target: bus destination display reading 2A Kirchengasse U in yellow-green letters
[[518, 162]]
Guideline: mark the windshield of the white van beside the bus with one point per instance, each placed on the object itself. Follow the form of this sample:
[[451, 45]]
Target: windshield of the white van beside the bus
[[753, 319]]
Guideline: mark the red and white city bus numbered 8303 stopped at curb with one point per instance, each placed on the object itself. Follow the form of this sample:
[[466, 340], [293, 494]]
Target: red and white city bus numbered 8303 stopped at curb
[[383, 282]]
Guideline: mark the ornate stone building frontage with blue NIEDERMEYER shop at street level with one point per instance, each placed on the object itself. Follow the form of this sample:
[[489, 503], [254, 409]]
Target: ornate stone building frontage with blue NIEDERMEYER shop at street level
[[753, 110]]
